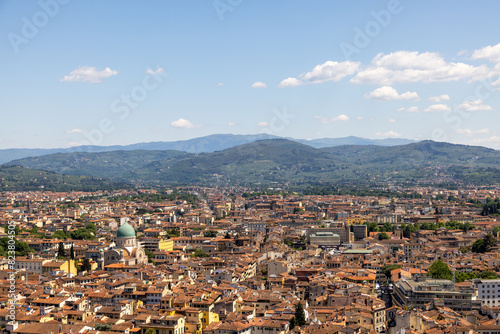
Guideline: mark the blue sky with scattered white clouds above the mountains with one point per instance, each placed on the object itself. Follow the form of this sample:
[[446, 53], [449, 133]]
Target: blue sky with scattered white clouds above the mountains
[[122, 72]]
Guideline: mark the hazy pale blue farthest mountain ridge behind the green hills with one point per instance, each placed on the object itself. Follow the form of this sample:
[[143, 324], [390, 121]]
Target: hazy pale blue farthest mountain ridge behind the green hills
[[205, 144]]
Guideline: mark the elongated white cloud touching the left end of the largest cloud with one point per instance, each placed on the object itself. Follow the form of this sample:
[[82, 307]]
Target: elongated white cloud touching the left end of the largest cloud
[[328, 71]]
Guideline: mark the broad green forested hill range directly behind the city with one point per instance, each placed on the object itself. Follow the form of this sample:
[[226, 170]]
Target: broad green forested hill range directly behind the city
[[286, 162]]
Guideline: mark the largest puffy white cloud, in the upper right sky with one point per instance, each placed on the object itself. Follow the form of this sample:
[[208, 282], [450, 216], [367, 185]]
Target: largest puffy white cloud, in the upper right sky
[[411, 66]]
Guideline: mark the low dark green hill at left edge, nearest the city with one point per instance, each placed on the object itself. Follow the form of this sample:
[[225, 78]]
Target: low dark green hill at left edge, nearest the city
[[17, 178]]
